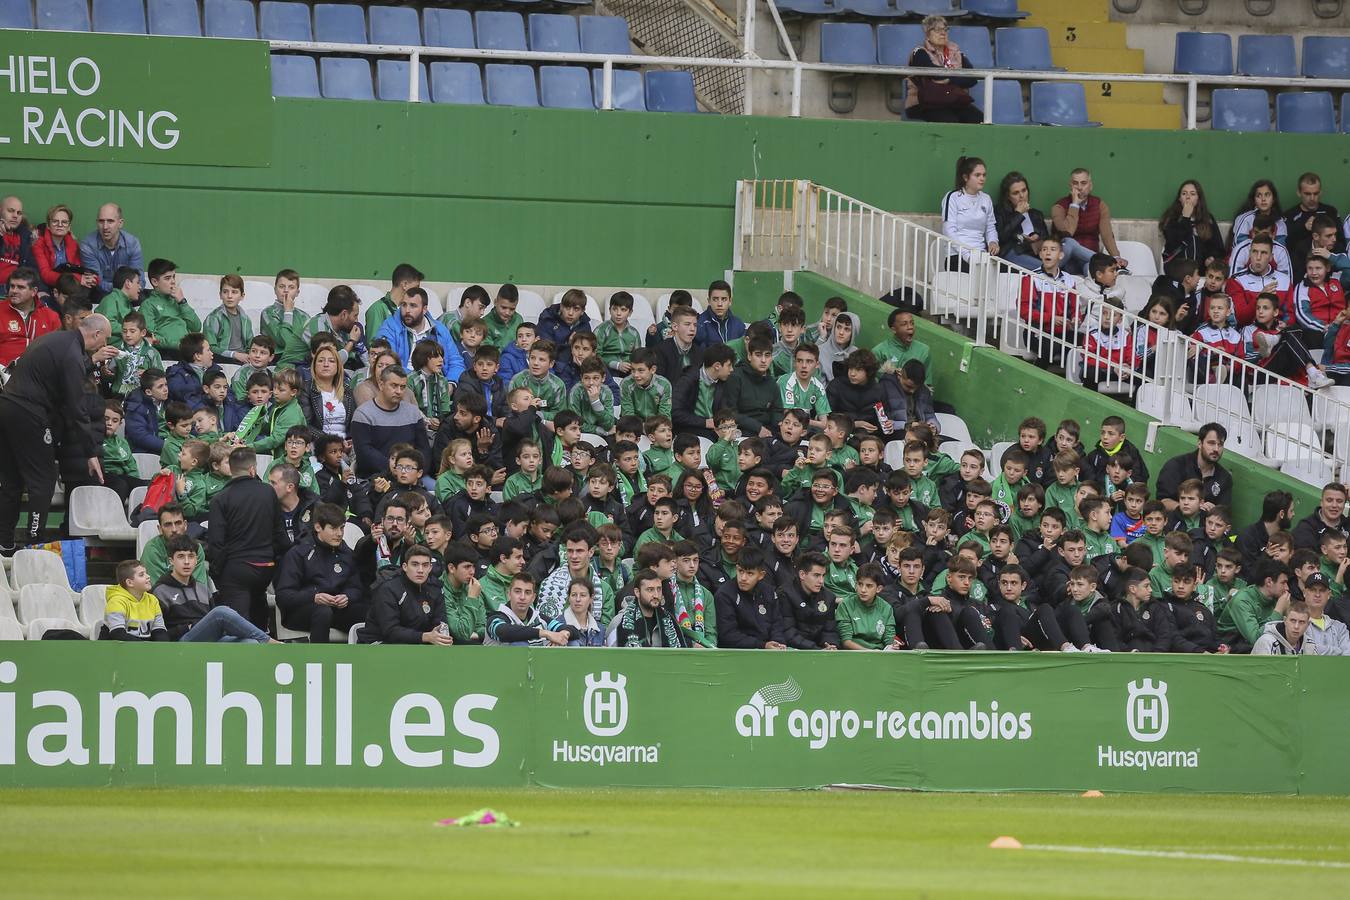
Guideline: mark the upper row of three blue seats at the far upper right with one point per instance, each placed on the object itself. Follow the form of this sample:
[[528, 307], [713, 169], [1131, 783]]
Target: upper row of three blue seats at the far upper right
[[1266, 56]]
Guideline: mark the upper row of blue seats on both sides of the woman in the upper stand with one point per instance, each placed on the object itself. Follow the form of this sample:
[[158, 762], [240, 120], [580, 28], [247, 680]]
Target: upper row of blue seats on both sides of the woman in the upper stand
[[858, 44]]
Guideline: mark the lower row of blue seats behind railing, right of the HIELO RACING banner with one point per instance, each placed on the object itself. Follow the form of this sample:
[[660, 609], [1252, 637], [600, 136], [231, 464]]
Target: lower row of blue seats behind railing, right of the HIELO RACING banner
[[497, 84]]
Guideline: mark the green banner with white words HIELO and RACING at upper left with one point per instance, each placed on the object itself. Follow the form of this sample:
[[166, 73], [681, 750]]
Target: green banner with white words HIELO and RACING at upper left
[[136, 99]]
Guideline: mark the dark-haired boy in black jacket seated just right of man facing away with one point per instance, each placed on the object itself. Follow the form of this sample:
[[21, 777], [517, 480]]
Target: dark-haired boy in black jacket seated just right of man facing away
[[318, 588]]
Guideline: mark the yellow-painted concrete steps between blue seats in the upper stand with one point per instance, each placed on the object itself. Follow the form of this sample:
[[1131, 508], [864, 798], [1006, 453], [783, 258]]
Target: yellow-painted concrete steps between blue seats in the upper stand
[[1083, 38]]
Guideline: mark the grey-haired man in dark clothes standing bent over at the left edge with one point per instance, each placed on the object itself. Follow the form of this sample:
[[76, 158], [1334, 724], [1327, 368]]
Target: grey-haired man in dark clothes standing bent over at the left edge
[[43, 407]]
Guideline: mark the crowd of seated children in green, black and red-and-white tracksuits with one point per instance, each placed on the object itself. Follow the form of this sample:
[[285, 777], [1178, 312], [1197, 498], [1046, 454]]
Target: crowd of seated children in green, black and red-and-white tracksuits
[[705, 484]]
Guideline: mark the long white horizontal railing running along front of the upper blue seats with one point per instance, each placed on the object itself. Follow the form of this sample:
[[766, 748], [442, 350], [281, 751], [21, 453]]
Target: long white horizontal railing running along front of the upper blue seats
[[794, 68]]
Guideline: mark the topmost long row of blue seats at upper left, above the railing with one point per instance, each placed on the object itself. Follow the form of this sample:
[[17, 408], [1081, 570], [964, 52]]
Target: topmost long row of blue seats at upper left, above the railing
[[327, 22]]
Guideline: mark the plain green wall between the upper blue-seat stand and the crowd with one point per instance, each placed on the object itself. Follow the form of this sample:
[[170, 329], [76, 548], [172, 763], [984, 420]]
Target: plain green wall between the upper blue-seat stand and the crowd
[[553, 196]]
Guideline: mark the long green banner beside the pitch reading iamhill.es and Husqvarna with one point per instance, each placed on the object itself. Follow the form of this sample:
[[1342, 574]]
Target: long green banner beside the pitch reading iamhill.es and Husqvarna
[[408, 717]]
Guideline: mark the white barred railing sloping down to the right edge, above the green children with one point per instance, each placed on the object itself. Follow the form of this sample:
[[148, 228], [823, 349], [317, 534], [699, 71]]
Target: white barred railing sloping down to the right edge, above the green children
[[1172, 377]]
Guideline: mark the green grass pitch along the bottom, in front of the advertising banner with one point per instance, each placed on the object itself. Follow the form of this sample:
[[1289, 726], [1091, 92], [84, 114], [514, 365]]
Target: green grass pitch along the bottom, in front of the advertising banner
[[662, 844]]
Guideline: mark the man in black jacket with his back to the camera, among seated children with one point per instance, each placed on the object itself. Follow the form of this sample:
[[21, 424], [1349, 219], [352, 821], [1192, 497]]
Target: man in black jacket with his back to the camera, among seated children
[[244, 531]]
